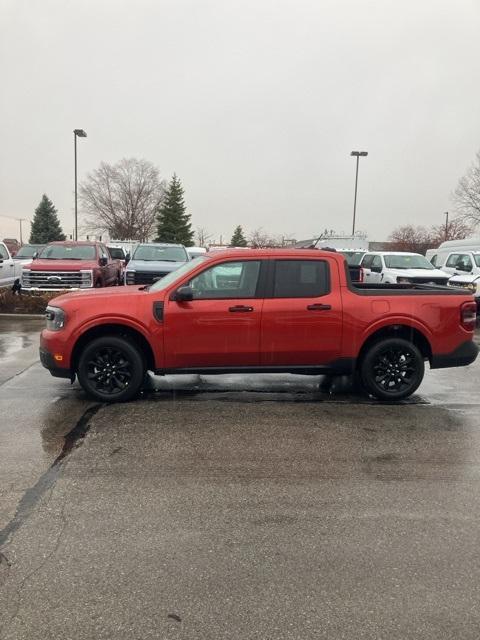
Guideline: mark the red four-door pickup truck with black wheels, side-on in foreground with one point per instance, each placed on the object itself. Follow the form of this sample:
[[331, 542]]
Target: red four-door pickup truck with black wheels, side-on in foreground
[[258, 311]]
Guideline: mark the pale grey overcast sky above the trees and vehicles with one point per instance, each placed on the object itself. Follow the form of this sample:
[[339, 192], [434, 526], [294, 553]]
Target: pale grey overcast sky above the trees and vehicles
[[256, 104]]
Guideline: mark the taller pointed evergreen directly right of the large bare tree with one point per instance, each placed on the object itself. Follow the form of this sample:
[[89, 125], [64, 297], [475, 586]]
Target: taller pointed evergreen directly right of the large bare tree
[[173, 221]]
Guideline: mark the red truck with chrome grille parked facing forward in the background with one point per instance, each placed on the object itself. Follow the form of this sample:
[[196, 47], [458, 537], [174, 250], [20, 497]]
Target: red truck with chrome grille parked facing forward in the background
[[72, 265]]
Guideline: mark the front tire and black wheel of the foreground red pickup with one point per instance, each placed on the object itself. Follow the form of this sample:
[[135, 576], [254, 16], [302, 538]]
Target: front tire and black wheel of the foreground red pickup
[[111, 369]]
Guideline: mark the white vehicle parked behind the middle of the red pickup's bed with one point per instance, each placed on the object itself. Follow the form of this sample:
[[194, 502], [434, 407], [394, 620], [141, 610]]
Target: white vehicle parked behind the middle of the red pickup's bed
[[391, 267]]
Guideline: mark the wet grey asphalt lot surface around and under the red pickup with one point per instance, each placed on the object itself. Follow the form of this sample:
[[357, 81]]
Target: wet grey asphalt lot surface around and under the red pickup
[[236, 508]]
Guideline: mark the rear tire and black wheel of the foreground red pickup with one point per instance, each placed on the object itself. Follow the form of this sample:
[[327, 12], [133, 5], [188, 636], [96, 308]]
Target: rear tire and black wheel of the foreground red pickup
[[392, 369]]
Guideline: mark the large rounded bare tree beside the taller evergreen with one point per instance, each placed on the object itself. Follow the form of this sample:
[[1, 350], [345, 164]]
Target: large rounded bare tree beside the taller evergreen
[[122, 198]]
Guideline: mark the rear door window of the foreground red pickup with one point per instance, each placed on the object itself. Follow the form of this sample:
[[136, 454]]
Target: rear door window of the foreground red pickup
[[301, 279]]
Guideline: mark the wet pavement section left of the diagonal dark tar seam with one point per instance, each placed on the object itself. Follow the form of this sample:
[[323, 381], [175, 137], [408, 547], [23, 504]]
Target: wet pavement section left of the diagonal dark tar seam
[[35, 415]]
